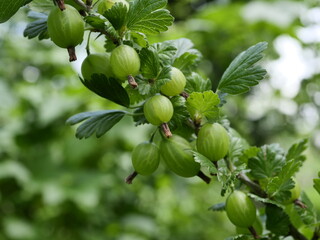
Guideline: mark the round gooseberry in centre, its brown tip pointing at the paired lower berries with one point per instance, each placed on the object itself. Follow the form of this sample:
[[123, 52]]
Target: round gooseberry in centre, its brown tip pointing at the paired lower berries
[[158, 109]]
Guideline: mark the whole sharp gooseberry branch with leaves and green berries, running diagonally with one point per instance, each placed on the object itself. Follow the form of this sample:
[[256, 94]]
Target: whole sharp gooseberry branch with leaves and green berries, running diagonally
[[160, 84]]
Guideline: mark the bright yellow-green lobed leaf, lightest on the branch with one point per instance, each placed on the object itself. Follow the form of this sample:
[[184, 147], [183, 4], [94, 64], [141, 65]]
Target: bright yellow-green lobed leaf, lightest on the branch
[[203, 104]]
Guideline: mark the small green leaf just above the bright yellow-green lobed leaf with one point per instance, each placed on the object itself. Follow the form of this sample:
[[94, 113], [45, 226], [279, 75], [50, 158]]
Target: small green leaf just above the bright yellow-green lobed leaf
[[196, 83]]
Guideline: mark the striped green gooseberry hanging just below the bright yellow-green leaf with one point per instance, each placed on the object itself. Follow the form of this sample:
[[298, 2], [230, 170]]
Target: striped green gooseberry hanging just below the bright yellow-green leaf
[[213, 141]]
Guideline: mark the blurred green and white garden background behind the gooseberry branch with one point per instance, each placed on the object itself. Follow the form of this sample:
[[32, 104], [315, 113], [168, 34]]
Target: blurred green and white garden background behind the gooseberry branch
[[54, 186]]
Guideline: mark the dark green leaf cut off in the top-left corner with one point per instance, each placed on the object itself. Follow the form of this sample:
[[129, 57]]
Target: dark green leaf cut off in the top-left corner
[[9, 8]]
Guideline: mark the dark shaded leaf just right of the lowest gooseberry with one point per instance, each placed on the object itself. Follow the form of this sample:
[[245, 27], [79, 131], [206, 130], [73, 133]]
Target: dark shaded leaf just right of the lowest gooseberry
[[277, 220]]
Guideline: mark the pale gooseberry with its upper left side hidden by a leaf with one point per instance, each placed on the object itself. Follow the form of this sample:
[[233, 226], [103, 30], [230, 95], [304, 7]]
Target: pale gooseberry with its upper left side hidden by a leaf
[[176, 84]]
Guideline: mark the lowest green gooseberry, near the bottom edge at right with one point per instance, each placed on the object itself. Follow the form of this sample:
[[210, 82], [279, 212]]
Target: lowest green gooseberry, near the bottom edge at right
[[240, 209]]
